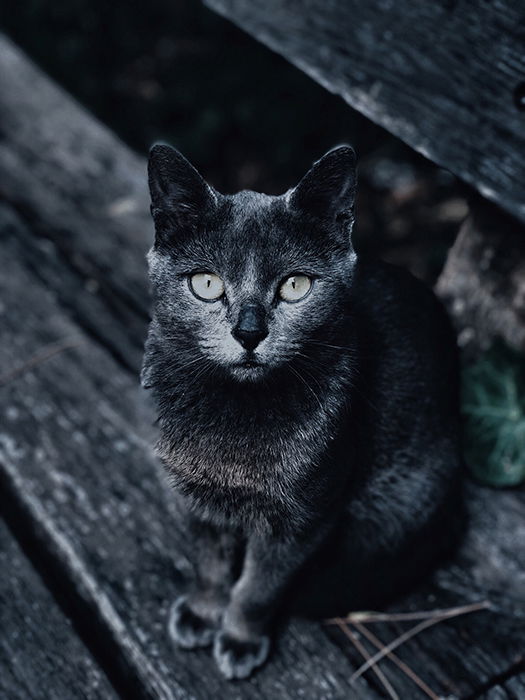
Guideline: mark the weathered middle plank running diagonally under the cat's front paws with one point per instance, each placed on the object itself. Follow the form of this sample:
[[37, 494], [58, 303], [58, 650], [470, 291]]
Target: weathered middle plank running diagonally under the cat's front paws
[[74, 459]]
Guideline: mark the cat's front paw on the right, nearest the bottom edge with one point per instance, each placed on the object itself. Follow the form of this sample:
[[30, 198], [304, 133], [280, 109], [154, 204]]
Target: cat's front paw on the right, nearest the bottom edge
[[237, 658]]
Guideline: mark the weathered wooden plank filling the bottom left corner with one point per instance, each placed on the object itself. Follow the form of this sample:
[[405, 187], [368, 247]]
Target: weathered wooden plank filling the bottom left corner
[[41, 656]]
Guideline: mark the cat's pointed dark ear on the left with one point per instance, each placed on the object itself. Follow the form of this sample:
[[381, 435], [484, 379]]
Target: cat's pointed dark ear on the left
[[179, 195]]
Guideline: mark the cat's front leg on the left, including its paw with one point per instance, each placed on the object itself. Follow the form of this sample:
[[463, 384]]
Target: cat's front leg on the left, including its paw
[[196, 616]]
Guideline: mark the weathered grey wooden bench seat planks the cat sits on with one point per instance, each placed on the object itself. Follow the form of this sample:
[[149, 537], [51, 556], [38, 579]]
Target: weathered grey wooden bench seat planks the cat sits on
[[105, 551]]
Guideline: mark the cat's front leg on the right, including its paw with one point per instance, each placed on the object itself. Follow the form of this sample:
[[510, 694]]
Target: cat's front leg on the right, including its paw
[[243, 642]]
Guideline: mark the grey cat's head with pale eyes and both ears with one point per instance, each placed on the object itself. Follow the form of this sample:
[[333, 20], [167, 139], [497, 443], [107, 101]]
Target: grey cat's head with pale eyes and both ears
[[248, 283]]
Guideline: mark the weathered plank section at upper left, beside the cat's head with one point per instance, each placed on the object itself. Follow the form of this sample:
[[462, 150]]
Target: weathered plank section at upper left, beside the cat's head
[[84, 194]]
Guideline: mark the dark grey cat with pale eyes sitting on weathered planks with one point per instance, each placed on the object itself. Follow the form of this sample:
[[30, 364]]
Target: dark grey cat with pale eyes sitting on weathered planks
[[307, 401]]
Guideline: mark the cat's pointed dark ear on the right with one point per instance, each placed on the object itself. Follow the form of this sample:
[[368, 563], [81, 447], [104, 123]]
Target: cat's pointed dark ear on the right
[[327, 191]]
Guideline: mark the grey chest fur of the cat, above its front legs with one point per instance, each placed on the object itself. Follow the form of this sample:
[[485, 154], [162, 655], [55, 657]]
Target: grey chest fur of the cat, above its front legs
[[249, 463]]
